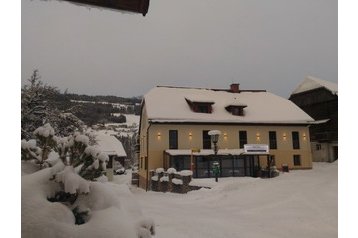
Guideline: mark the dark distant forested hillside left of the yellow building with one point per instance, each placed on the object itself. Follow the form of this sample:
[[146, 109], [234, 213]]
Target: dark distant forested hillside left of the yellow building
[[97, 112]]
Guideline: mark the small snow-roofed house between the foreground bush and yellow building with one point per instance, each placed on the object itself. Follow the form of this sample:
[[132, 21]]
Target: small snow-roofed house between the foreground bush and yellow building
[[110, 145]]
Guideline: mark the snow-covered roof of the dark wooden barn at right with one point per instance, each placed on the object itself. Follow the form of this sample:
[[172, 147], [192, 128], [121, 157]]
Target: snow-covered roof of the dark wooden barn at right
[[310, 83]]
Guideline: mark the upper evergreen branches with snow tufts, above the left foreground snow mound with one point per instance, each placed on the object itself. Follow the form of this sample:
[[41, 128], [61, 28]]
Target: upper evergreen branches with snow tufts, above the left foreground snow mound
[[73, 150]]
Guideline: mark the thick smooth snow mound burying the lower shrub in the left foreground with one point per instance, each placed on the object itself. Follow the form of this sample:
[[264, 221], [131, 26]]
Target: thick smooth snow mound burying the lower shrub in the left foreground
[[111, 209]]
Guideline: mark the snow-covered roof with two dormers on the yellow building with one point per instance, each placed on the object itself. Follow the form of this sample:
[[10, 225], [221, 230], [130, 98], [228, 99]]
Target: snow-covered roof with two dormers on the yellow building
[[168, 104]]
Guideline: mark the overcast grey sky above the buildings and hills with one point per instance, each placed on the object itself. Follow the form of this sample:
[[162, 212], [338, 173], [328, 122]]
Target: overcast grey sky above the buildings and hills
[[261, 44]]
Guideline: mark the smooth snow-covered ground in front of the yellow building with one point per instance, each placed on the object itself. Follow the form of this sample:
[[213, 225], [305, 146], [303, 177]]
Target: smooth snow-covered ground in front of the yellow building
[[298, 204]]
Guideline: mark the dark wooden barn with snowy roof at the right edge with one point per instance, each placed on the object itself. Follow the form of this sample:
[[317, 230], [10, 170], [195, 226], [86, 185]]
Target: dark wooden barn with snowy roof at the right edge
[[319, 99]]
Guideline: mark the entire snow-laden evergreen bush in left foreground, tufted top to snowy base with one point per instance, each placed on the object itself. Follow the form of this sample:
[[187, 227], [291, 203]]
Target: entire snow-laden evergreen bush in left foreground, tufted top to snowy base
[[72, 191]]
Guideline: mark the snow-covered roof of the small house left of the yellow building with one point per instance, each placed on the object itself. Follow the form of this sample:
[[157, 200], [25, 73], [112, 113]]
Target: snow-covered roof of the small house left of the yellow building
[[109, 144]]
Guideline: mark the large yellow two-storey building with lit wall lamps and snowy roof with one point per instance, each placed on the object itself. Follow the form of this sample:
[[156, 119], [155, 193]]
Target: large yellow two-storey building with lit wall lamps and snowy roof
[[175, 122]]
